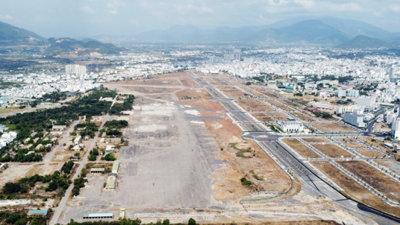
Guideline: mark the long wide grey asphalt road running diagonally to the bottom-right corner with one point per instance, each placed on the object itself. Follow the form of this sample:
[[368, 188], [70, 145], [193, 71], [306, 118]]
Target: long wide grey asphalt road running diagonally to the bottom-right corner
[[270, 145]]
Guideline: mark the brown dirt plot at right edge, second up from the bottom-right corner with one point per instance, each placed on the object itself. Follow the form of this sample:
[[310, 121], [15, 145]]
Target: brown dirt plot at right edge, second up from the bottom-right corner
[[375, 178]]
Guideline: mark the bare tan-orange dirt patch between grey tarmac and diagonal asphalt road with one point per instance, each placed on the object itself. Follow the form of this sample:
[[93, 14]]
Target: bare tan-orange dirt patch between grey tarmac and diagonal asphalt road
[[259, 168]]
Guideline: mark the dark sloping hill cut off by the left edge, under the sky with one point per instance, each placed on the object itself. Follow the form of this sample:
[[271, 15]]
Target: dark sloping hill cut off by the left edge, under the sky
[[11, 35]]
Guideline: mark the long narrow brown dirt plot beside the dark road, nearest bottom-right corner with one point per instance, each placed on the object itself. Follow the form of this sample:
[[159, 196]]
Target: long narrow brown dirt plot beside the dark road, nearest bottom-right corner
[[354, 189]]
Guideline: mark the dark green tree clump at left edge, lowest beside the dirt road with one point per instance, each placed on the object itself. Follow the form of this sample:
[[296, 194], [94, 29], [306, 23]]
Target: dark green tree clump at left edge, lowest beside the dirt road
[[56, 181]]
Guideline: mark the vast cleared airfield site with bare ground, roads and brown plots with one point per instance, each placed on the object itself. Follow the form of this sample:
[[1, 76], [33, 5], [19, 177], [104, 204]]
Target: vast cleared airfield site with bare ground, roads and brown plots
[[191, 152]]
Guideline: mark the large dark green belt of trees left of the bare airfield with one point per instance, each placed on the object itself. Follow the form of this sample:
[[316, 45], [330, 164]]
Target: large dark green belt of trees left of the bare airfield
[[42, 121]]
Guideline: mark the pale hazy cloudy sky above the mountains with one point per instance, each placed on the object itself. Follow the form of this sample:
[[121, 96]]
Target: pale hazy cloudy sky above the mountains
[[90, 18]]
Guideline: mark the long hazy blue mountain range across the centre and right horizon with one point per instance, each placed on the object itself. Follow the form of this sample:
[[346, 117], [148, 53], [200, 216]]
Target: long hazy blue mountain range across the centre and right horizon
[[326, 31]]
